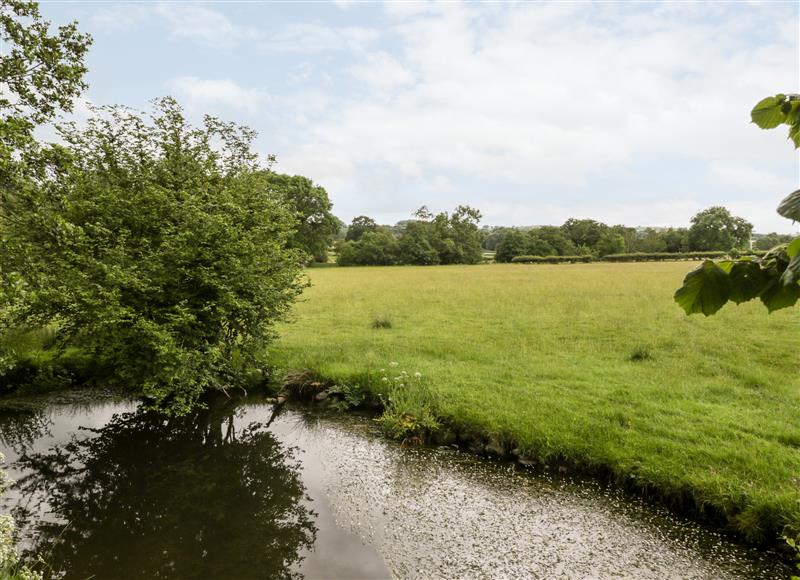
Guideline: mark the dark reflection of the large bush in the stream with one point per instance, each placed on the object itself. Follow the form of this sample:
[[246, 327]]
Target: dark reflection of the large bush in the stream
[[170, 497]]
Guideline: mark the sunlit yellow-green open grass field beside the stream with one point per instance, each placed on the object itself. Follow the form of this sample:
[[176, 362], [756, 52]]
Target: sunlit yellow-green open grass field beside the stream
[[542, 355]]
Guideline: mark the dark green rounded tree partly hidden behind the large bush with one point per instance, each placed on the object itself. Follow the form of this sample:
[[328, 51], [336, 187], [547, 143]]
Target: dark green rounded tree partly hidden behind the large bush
[[316, 226]]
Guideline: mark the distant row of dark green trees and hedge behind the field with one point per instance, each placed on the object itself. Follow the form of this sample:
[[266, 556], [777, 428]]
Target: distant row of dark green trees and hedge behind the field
[[456, 239]]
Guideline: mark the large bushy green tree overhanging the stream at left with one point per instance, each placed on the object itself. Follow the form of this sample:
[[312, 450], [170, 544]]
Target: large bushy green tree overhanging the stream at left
[[160, 255]]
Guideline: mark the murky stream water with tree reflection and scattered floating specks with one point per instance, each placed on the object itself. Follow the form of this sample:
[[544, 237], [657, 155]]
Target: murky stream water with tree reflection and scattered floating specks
[[106, 491]]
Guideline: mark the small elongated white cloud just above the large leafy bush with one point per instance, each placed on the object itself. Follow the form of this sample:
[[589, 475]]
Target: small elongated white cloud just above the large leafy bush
[[202, 93]]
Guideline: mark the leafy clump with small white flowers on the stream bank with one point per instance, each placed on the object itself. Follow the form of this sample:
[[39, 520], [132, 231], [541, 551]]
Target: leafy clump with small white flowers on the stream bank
[[408, 406]]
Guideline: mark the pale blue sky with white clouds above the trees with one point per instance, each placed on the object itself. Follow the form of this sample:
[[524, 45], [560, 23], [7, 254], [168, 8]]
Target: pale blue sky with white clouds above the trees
[[532, 112]]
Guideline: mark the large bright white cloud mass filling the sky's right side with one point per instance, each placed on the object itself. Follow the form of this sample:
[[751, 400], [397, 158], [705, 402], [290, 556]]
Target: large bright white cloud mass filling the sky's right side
[[564, 96]]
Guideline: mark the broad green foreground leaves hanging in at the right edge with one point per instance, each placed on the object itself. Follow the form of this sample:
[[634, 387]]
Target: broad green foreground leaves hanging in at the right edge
[[773, 279]]
